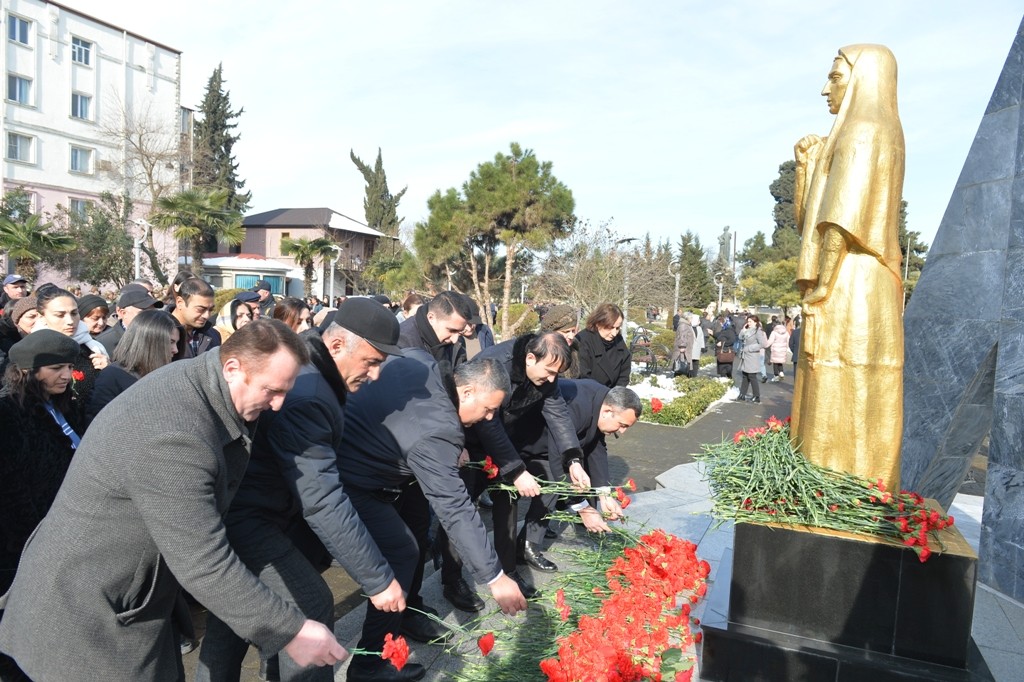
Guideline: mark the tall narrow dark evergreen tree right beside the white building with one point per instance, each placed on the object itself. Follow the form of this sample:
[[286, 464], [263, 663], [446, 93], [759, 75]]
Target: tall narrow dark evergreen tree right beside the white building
[[214, 157]]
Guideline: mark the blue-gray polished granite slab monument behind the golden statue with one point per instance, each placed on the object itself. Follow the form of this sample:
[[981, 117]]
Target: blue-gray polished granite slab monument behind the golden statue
[[964, 373]]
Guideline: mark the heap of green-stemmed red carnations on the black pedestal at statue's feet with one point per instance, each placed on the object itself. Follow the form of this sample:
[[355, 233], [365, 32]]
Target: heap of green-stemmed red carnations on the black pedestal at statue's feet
[[760, 477]]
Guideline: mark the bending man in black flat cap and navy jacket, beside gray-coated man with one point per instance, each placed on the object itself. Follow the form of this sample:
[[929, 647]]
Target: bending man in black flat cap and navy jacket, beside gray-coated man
[[292, 487]]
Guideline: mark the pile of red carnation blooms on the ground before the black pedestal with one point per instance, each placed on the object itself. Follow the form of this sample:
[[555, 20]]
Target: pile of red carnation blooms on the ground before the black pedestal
[[641, 630]]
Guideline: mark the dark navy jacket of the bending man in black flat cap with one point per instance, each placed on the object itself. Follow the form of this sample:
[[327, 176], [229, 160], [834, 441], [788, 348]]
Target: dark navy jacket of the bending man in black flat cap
[[293, 473]]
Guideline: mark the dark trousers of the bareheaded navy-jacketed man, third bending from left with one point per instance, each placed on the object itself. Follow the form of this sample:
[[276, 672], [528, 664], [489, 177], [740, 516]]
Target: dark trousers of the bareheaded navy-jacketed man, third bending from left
[[400, 529]]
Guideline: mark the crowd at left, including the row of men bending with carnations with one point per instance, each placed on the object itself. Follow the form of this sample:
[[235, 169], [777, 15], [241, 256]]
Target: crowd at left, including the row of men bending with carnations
[[157, 449]]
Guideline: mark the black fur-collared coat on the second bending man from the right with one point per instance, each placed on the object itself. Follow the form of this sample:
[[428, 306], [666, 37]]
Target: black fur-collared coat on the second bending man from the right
[[527, 410]]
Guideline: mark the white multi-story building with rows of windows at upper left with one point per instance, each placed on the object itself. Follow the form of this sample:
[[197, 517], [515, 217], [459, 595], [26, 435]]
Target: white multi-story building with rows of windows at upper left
[[82, 98]]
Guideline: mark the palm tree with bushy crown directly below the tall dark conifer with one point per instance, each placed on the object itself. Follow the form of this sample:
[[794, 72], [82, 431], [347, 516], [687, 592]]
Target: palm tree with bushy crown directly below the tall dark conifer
[[199, 217]]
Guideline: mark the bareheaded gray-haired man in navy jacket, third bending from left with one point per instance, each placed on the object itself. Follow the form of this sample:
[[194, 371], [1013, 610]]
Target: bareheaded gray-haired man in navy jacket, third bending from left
[[402, 448]]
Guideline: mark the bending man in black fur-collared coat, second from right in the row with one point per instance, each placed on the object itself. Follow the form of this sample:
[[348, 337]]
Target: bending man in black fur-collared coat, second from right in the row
[[533, 363]]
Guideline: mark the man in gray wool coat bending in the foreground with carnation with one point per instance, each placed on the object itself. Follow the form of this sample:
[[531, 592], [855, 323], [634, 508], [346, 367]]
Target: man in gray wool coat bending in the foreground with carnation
[[141, 511]]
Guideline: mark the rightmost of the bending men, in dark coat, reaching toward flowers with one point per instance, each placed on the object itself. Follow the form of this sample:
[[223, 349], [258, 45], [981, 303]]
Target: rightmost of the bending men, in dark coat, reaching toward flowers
[[596, 412]]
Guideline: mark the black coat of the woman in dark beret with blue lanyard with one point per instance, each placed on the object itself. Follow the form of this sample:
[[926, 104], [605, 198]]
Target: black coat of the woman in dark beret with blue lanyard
[[35, 455]]
